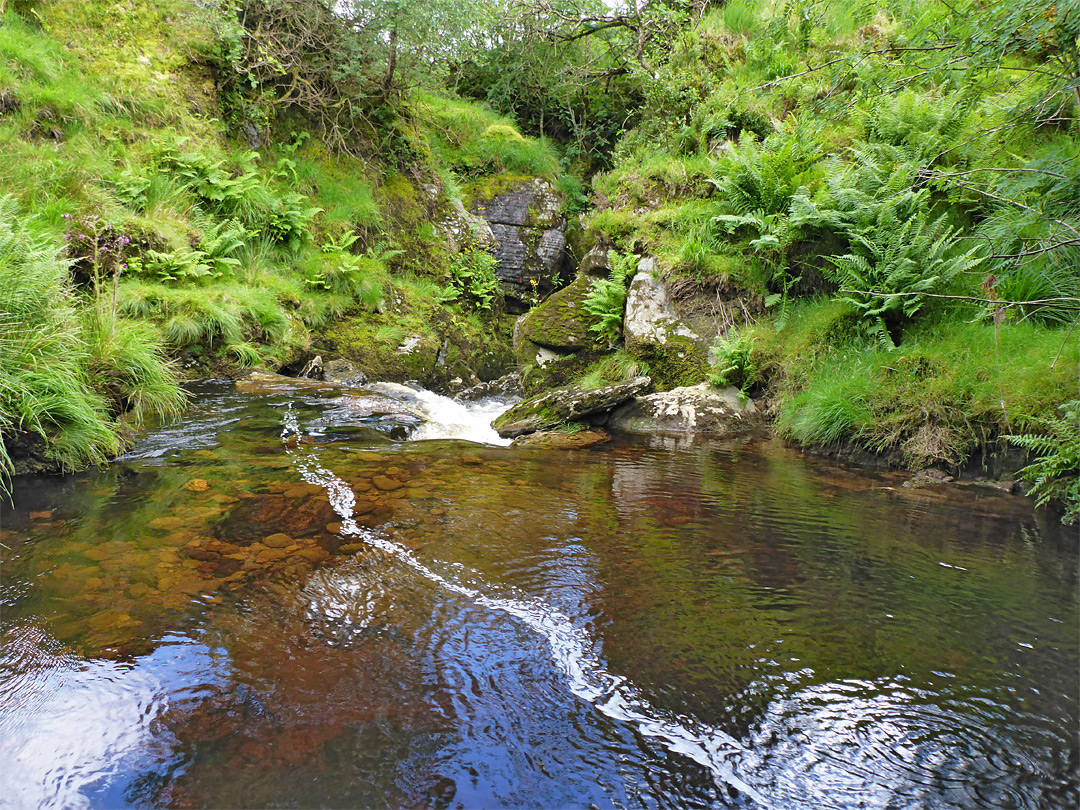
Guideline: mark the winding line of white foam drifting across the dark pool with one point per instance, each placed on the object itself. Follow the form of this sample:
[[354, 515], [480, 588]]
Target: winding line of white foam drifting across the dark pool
[[586, 674]]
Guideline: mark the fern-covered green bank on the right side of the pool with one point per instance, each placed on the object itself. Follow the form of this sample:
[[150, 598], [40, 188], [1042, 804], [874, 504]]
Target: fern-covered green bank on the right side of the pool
[[887, 197]]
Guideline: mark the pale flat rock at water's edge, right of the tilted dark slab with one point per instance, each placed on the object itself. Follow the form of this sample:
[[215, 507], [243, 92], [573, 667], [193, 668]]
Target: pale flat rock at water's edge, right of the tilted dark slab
[[693, 410]]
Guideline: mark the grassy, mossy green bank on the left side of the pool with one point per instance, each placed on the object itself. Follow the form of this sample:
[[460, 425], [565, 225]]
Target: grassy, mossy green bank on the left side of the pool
[[172, 201]]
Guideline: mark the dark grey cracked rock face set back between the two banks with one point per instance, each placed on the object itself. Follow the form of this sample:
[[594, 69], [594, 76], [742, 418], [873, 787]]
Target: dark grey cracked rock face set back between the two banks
[[530, 235]]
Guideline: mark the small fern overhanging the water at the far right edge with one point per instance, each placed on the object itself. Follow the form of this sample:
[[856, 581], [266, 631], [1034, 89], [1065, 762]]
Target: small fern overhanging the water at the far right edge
[[1056, 472]]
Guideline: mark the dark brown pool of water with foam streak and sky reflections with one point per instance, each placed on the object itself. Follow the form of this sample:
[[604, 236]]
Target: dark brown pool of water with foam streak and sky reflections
[[279, 603]]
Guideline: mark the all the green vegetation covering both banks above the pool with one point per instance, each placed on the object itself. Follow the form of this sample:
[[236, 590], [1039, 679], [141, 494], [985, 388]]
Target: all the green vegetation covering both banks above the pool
[[866, 194]]
